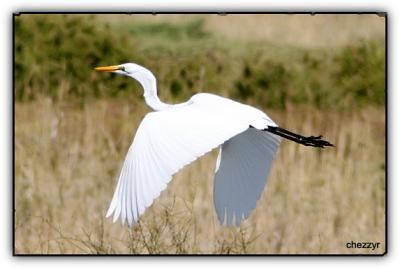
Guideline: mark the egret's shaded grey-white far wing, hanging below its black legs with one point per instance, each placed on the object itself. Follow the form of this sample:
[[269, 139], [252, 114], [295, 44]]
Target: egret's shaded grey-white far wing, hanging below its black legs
[[242, 169]]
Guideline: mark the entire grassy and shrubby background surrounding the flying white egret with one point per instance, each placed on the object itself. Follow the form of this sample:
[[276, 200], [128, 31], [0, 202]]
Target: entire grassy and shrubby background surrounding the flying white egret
[[312, 74]]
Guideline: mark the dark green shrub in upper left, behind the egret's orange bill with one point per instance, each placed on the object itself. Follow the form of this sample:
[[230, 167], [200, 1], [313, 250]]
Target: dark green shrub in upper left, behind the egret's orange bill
[[55, 55]]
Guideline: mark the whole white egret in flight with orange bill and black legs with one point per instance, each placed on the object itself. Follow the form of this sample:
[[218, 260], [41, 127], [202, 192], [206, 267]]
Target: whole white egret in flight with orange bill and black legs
[[174, 135]]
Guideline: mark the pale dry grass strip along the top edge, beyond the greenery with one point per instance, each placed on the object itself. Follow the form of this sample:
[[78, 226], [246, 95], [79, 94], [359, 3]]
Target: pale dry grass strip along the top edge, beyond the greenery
[[322, 30]]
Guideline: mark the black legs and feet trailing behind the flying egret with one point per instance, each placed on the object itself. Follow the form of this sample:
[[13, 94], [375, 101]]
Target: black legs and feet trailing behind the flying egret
[[313, 141]]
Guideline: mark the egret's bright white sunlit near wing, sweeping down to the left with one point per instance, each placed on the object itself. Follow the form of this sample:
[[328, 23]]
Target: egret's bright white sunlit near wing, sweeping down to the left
[[164, 143]]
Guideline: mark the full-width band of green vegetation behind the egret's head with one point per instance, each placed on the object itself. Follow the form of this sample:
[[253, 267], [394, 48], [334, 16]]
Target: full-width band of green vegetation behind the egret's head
[[55, 56]]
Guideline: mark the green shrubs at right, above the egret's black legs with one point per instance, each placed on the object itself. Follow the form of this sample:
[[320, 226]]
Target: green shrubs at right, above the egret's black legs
[[353, 76]]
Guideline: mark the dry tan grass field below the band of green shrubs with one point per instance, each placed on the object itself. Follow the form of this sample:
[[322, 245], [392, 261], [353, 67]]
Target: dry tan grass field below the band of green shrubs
[[68, 158]]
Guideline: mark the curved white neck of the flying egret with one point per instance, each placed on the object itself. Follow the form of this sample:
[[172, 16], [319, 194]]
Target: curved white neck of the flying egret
[[149, 84]]
